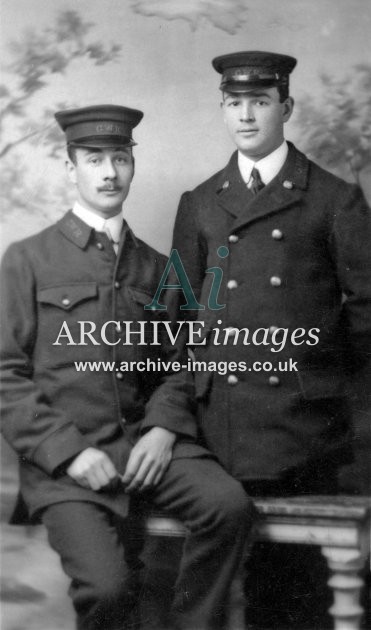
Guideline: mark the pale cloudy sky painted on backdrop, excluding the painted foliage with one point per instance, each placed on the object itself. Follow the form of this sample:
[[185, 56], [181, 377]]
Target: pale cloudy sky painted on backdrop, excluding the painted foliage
[[164, 69]]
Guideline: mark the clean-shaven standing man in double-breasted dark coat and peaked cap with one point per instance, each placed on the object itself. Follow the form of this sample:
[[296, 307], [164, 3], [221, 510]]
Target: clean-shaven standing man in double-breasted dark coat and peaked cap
[[293, 242]]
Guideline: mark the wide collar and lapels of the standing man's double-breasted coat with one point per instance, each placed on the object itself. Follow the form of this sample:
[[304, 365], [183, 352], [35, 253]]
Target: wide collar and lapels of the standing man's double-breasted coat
[[283, 191]]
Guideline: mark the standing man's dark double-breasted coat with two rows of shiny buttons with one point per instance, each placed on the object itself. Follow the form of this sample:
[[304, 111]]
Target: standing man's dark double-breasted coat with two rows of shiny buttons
[[299, 257]]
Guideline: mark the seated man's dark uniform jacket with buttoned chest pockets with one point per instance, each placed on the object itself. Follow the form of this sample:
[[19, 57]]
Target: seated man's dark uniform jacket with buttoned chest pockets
[[51, 412]]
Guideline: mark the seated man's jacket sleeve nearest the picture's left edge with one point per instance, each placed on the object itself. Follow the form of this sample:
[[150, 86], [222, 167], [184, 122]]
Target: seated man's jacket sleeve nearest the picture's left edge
[[37, 432]]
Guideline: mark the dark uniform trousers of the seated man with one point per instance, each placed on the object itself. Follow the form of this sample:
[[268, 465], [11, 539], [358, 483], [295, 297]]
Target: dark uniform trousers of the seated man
[[103, 570]]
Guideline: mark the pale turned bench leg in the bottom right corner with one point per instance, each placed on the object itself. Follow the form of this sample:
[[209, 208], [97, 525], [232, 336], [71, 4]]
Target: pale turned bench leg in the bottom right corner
[[346, 585]]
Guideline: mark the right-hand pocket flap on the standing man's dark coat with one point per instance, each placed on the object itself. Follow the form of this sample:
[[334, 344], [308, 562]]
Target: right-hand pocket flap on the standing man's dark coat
[[317, 384]]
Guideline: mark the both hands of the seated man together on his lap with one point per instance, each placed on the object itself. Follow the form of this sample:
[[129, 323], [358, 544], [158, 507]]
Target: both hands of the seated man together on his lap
[[147, 463]]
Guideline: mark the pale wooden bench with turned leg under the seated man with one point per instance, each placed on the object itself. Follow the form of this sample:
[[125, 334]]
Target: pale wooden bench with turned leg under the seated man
[[339, 525]]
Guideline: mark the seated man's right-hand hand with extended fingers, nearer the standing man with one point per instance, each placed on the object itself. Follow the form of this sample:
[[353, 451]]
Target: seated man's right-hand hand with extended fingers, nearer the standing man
[[149, 459]]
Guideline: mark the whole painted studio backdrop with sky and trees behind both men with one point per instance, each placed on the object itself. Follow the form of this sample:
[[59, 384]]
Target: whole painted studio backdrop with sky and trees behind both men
[[155, 55]]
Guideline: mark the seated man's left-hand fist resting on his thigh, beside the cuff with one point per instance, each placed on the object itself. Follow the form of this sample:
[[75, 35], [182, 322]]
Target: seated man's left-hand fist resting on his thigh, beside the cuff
[[92, 469]]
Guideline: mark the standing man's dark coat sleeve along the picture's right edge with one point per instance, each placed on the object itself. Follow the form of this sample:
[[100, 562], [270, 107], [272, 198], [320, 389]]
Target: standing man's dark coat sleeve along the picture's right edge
[[351, 242]]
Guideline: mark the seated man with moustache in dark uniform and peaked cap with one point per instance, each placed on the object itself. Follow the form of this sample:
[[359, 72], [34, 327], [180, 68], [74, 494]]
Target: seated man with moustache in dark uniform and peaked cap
[[88, 440]]
